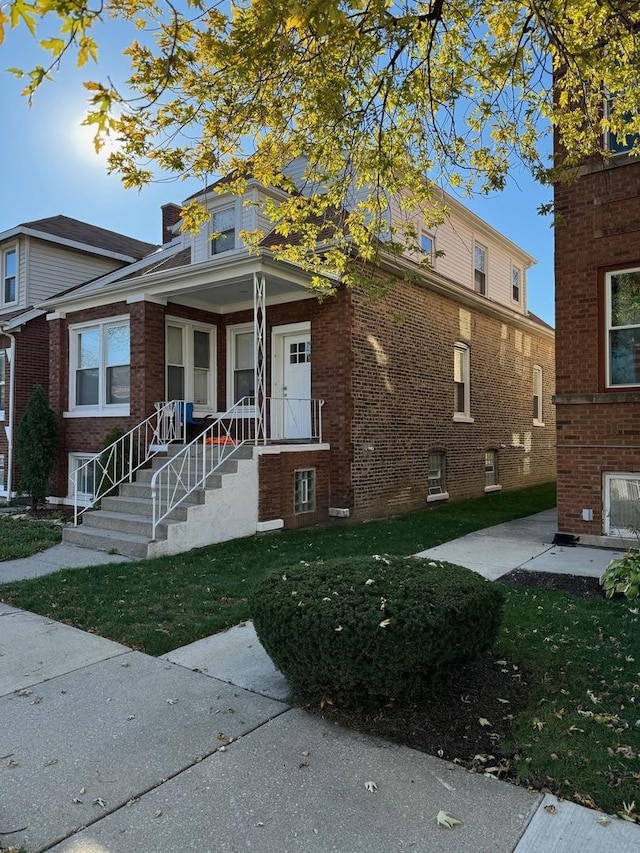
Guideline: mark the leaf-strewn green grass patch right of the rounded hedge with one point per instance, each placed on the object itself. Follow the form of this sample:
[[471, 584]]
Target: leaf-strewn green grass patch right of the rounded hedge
[[580, 733]]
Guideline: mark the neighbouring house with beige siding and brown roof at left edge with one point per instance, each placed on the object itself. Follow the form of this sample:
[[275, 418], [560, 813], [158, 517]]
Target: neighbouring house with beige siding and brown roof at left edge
[[39, 259]]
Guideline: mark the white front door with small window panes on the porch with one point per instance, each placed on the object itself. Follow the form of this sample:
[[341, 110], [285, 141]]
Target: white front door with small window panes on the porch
[[296, 386]]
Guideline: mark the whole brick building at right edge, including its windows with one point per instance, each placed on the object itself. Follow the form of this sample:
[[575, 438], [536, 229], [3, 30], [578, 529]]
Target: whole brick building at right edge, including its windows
[[597, 265]]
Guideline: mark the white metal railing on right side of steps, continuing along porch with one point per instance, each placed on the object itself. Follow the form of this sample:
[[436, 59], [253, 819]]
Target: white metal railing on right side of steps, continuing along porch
[[189, 469]]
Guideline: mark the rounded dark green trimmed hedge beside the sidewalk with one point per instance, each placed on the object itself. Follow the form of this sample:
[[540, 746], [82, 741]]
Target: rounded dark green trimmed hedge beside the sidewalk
[[374, 628]]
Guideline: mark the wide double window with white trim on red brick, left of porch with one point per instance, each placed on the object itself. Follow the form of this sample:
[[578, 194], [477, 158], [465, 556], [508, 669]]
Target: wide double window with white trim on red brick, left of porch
[[99, 366]]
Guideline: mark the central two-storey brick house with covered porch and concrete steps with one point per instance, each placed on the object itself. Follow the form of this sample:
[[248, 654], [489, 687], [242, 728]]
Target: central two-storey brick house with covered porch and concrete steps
[[345, 408]]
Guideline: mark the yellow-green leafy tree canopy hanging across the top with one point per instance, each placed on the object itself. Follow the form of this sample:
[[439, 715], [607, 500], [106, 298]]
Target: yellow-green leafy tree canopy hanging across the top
[[377, 95]]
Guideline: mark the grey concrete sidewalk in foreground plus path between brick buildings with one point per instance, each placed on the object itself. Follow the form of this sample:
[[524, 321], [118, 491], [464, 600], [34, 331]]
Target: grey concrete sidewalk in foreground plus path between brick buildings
[[107, 750]]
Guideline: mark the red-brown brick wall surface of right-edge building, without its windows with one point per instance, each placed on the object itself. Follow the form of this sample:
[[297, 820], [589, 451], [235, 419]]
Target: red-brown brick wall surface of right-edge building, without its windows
[[598, 229]]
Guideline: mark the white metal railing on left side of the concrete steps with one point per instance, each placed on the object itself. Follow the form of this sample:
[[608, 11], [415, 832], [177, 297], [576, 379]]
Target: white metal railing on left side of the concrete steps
[[118, 462]]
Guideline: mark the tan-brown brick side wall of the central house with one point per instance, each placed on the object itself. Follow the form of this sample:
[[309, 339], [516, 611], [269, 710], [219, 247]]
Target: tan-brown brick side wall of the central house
[[403, 397]]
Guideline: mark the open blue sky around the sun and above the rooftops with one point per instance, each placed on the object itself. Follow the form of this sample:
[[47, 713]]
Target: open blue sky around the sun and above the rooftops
[[54, 170]]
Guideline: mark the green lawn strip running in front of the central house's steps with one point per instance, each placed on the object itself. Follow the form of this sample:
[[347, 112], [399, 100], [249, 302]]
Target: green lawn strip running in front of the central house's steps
[[159, 605]]
